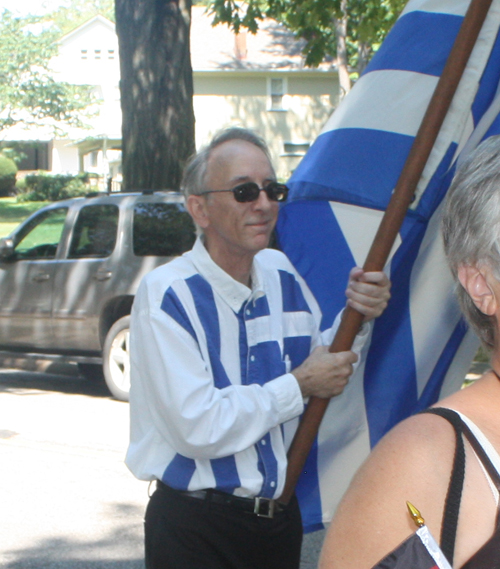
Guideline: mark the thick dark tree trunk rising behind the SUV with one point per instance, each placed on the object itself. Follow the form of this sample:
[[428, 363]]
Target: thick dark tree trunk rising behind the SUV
[[156, 92]]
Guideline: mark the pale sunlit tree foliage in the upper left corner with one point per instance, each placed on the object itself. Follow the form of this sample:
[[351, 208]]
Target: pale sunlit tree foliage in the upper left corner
[[28, 93]]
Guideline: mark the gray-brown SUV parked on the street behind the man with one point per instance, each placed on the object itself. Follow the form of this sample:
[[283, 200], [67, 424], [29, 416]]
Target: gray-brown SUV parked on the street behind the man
[[69, 273]]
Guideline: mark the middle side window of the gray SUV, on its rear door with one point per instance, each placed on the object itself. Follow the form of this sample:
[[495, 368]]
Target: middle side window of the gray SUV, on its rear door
[[95, 232]]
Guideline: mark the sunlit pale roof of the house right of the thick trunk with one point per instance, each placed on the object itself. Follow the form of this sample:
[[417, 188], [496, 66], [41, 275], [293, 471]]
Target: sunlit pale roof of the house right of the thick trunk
[[217, 48]]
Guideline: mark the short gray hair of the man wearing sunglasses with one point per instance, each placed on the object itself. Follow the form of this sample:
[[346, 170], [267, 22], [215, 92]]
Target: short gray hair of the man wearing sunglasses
[[193, 181]]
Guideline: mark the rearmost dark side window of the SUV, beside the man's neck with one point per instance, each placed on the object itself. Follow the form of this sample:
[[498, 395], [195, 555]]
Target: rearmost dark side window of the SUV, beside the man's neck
[[162, 229]]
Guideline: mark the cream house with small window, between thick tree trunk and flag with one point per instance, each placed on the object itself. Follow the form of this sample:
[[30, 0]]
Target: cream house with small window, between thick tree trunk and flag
[[259, 81]]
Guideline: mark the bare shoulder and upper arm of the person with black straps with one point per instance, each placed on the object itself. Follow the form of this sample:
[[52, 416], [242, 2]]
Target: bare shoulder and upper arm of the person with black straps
[[411, 463]]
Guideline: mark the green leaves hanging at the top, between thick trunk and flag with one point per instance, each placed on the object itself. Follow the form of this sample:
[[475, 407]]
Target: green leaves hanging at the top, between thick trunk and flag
[[368, 21]]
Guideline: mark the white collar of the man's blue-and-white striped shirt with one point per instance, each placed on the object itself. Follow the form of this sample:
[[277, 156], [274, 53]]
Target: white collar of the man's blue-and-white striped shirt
[[232, 291]]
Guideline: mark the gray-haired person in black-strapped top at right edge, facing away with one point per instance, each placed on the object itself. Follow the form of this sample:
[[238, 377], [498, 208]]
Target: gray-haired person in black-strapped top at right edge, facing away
[[445, 461]]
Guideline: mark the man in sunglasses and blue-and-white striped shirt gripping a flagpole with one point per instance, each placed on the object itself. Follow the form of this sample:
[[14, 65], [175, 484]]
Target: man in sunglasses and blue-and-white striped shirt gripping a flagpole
[[224, 347]]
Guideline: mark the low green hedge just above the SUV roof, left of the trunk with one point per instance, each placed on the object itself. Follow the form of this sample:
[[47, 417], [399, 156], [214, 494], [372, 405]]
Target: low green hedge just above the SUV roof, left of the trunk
[[46, 187]]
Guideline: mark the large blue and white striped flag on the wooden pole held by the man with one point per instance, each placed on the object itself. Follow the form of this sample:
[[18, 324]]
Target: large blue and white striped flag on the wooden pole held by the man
[[420, 349]]
